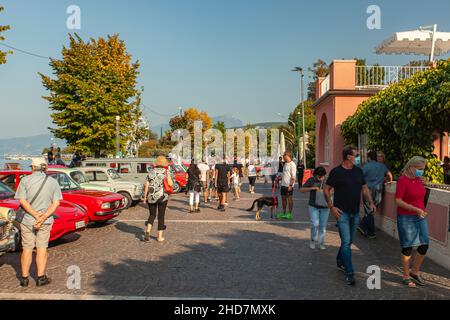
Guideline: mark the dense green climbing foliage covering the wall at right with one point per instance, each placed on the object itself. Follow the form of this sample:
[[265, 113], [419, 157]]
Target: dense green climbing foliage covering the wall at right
[[404, 119]]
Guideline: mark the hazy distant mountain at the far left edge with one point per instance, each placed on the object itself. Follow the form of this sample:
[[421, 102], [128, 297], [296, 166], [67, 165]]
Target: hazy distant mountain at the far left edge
[[28, 145]]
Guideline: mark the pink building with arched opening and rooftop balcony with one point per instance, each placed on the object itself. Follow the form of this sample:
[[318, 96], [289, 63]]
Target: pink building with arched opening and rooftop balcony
[[338, 97]]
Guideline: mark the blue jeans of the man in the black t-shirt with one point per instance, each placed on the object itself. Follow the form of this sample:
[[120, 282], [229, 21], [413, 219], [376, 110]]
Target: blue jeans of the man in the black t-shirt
[[347, 224]]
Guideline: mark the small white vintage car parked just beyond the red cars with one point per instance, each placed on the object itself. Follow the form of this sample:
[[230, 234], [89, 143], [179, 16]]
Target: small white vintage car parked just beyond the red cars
[[131, 190]]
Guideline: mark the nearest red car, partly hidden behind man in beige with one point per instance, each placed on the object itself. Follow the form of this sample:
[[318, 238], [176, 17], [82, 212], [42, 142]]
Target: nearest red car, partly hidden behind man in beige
[[70, 217]]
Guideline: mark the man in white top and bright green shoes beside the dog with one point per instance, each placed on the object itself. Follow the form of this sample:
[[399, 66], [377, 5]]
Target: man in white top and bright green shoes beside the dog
[[287, 185]]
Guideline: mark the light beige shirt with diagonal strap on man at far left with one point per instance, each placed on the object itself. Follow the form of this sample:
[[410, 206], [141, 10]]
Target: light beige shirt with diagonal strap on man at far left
[[29, 186]]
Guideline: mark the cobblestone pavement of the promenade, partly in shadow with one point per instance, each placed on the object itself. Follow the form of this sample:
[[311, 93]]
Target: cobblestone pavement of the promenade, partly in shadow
[[218, 255]]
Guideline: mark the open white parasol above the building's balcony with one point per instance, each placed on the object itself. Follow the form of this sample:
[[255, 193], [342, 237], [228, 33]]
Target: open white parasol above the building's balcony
[[425, 40]]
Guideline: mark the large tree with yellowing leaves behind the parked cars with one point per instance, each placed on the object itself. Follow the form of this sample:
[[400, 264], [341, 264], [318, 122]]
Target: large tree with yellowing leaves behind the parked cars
[[94, 82]]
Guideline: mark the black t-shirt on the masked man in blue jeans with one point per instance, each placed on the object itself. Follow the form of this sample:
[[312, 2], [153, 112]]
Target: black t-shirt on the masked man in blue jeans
[[347, 185]]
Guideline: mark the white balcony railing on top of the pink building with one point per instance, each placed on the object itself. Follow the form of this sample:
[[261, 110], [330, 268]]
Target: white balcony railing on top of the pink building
[[368, 77]]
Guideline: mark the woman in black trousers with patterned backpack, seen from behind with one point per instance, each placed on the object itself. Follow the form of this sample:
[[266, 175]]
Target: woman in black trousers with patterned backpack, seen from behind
[[156, 197]]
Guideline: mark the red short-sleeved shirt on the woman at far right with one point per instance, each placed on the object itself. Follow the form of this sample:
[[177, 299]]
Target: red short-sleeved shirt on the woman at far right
[[412, 191]]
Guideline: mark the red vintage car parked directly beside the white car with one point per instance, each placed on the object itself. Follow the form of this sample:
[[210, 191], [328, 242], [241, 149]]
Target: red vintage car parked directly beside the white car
[[100, 206]]
